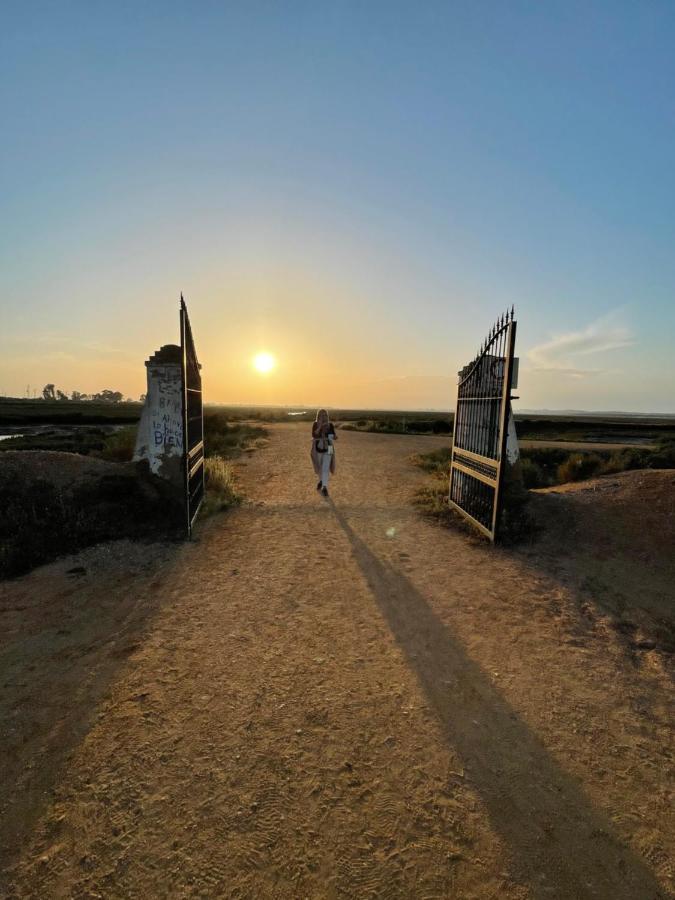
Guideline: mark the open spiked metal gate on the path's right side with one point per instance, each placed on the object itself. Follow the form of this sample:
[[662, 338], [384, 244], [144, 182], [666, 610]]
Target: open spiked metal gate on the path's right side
[[480, 429]]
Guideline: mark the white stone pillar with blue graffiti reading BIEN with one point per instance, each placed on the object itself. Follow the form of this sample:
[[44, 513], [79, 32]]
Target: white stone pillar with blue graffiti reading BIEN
[[160, 430]]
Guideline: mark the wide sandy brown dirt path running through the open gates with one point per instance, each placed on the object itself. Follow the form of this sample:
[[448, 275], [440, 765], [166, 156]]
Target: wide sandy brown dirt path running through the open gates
[[328, 699]]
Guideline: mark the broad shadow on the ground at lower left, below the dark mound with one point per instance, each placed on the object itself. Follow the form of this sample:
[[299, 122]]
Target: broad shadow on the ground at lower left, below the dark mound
[[56, 674]]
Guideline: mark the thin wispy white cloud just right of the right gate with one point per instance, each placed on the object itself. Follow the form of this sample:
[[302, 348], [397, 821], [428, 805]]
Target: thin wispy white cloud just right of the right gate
[[559, 355]]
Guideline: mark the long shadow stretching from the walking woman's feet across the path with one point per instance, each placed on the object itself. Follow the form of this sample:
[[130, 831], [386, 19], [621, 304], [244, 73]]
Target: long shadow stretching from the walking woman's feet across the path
[[559, 843]]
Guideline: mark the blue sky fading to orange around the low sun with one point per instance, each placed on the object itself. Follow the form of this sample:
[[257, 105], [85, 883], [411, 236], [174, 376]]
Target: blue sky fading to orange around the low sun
[[359, 189]]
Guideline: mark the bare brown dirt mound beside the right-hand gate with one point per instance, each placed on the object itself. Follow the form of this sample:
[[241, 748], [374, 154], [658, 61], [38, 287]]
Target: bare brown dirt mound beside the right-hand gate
[[613, 538]]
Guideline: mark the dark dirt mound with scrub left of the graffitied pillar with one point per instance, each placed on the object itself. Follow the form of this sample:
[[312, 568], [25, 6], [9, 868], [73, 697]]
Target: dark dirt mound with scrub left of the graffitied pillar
[[53, 503]]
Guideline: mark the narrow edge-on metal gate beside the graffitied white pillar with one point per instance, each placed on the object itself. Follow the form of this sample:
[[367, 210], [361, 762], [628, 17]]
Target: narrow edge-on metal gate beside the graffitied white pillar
[[193, 420]]
